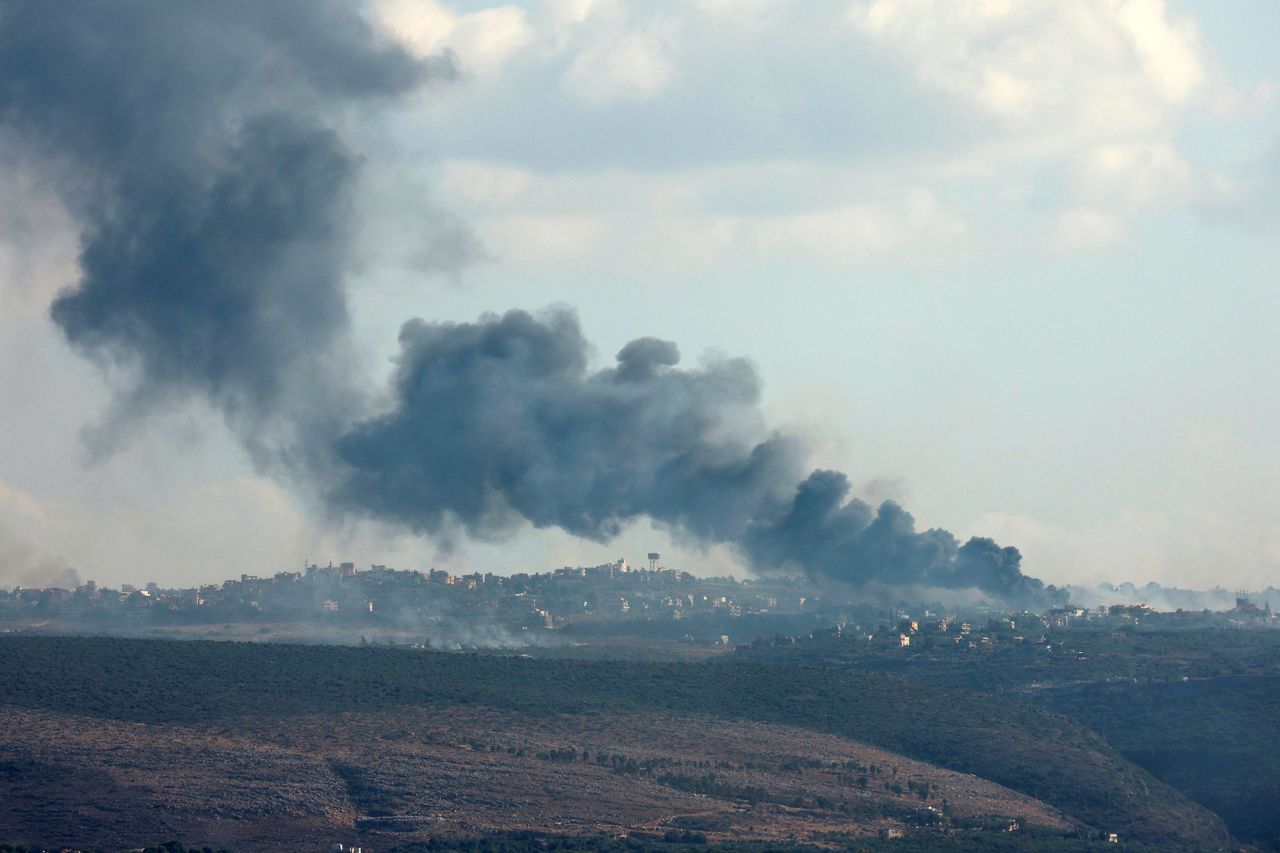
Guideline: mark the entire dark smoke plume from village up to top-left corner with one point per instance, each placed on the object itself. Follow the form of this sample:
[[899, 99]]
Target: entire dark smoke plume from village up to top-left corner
[[216, 203]]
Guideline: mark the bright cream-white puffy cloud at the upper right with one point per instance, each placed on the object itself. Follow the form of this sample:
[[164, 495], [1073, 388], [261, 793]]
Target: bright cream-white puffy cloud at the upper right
[[1092, 92]]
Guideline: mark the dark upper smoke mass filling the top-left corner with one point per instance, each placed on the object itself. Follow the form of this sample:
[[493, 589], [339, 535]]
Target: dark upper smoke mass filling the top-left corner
[[195, 144]]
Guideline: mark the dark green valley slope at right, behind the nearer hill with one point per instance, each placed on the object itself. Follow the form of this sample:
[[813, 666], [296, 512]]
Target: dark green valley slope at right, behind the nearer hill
[[1200, 709]]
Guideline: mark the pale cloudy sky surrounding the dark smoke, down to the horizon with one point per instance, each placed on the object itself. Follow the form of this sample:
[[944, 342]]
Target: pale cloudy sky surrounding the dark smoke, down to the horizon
[[1012, 264]]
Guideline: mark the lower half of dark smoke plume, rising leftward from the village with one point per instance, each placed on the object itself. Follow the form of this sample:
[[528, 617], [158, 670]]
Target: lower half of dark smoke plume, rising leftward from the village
[[502, 421]]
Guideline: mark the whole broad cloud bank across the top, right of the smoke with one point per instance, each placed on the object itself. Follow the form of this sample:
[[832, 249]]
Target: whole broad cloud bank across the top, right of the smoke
[[1081, 104]]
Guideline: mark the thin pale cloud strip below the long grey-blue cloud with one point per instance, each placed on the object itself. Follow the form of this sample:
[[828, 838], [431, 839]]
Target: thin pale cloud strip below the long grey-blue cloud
[[679, 222]]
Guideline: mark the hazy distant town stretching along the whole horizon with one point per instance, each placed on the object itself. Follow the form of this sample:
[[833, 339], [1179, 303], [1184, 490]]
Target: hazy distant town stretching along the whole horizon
[[570, 604]]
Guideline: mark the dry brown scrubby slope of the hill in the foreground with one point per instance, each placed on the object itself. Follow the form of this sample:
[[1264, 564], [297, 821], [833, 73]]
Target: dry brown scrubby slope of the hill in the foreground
[[417, 774]]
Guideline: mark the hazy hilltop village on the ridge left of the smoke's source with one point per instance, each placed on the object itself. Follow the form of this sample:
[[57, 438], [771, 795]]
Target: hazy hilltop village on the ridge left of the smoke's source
[[514, 608]]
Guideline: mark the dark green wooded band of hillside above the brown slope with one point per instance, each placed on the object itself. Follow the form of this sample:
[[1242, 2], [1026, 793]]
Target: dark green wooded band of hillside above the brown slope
[[1031, 750]]
